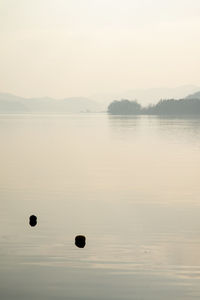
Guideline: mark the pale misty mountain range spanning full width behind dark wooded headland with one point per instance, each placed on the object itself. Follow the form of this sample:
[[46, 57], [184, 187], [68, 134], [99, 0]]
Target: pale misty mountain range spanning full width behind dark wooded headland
[[13, 104]]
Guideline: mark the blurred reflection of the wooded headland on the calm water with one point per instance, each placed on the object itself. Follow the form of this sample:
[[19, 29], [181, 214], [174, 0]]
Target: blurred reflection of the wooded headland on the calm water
[[185, 128]]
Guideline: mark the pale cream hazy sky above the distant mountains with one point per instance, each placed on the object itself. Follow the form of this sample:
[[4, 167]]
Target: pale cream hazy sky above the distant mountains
[[83, 47]]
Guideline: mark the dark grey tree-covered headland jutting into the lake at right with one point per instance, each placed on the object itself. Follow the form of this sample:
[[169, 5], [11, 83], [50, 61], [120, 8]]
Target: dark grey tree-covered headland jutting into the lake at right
[[187, 106]]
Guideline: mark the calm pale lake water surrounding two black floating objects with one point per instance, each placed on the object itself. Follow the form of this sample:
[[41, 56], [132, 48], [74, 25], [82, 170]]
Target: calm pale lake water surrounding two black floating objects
[[129, 184]]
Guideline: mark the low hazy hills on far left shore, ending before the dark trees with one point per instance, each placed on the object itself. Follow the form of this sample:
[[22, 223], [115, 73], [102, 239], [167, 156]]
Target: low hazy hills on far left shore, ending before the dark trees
[[13, 104]]
